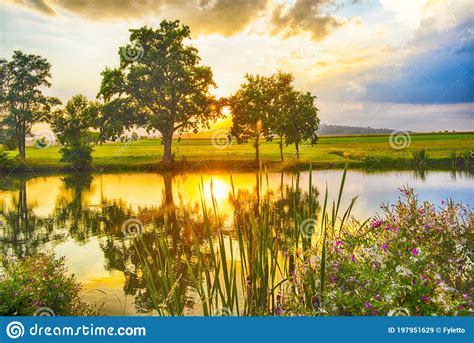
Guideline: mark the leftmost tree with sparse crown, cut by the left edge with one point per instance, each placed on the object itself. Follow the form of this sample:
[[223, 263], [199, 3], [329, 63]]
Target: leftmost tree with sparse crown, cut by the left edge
[[21, 97]]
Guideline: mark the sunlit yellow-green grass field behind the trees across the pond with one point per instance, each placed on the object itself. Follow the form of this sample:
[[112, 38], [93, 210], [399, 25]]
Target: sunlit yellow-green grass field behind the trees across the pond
[[373, 151]]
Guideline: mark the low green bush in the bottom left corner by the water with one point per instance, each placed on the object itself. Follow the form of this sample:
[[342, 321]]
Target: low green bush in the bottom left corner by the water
[[40, 281]]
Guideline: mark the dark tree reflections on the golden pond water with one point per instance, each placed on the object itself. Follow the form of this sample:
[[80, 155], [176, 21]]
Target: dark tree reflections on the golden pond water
[[73, 218]]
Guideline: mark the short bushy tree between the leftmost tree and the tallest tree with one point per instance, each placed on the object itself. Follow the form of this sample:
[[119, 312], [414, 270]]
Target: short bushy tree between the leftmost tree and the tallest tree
[[72, 126]]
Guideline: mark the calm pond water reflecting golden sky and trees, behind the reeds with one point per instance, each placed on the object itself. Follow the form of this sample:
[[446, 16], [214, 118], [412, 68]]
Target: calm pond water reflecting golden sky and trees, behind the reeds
[[82, 217]]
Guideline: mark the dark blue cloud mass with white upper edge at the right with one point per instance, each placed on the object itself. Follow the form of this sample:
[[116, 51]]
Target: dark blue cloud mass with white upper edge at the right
[[437, 65]]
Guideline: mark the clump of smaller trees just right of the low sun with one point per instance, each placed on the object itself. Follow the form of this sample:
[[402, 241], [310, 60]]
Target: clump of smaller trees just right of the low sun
[[268, 106]]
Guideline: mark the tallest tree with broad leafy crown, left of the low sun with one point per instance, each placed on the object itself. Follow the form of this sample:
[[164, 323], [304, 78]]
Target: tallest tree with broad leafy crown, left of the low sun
[[159, 85]]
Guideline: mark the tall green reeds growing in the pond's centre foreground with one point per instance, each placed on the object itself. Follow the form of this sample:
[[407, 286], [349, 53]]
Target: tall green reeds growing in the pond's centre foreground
[[244, 271]]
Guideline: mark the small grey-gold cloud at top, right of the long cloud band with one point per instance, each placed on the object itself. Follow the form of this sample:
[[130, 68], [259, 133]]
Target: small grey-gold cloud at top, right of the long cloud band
[[304, 16]]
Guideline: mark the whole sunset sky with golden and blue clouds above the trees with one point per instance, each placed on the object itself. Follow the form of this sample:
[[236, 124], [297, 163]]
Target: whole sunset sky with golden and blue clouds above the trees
[[398, 64]]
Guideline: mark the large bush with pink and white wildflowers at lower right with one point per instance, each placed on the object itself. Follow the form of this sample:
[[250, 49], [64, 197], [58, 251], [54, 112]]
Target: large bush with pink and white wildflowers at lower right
[[415, 259]]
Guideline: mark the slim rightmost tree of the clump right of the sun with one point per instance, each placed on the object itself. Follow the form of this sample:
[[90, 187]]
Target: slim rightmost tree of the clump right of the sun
[[302, 125]]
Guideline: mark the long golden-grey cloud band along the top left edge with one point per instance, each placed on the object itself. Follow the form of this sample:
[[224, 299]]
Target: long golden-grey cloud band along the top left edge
[[203, 16]]
